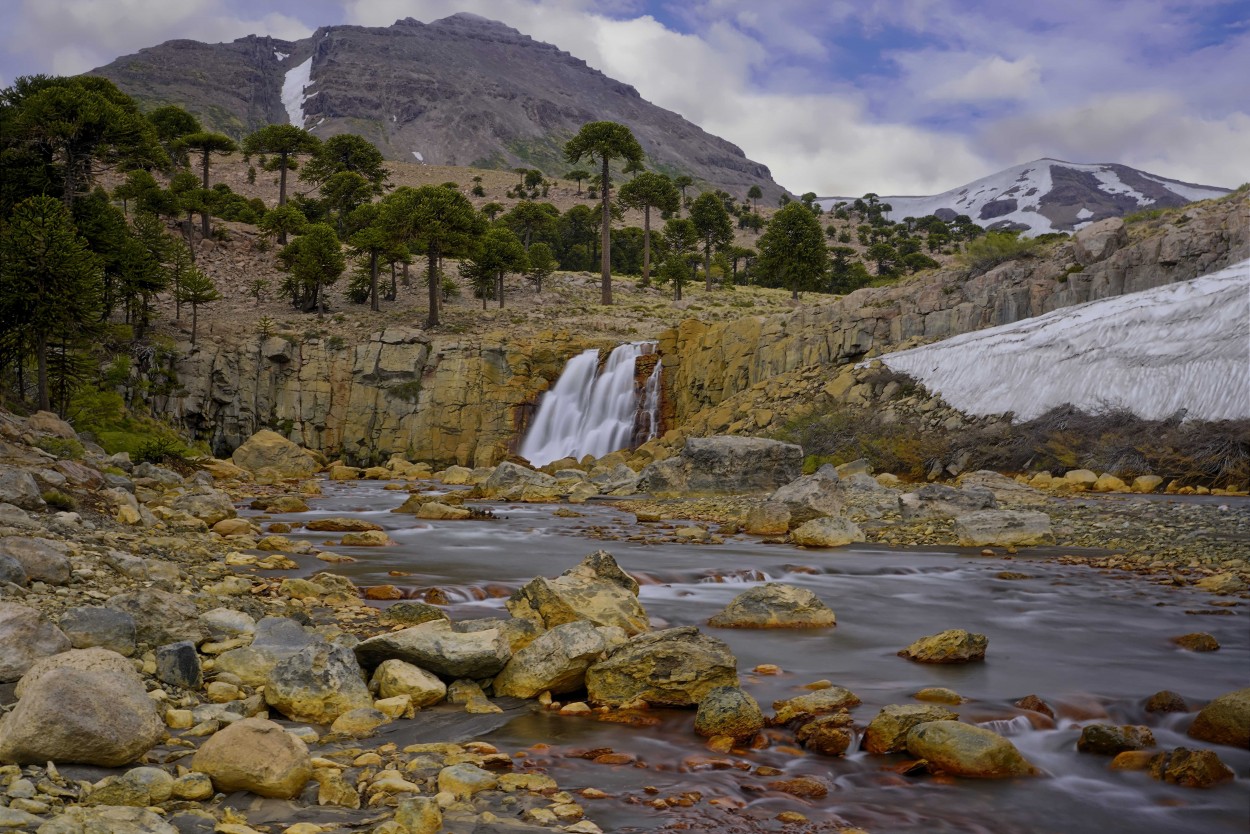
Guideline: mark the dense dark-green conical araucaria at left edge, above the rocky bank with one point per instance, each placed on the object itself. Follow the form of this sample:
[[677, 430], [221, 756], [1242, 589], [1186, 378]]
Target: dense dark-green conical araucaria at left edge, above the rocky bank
[[49, 287]]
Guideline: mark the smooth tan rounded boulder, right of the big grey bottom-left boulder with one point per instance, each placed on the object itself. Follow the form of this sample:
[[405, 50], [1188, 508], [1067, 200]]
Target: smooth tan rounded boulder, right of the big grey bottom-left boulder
[[256, 755]]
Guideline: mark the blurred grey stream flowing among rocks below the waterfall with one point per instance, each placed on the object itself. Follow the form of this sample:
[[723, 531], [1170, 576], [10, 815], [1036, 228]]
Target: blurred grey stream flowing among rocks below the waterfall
[[1094, 646]]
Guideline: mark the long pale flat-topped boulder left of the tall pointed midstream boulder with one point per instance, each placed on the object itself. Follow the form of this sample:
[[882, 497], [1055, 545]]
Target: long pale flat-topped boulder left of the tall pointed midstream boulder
[[436, 647]]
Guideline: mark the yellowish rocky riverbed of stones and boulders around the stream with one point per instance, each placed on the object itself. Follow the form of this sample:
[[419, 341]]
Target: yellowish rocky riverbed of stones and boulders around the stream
[[164, 667]]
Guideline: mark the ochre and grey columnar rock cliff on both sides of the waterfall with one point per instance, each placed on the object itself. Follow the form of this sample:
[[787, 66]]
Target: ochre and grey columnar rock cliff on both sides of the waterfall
[[448, 399]]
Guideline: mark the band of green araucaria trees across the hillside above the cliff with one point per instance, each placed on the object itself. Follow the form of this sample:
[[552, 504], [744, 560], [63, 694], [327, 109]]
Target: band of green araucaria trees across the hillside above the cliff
[[82, 268]]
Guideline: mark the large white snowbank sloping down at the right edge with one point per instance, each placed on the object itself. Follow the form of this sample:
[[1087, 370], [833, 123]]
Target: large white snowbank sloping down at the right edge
[[1158, 352]]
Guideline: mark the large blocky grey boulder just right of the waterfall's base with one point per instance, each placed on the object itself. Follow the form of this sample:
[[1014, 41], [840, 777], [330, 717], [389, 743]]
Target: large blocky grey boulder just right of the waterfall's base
[[724, 465]]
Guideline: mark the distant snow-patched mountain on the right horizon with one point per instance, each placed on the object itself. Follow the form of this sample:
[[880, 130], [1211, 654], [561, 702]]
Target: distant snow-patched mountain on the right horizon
[[1051, 196]]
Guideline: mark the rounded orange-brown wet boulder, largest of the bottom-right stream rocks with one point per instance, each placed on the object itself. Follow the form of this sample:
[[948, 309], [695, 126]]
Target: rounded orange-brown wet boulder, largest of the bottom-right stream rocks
[[966, 751]]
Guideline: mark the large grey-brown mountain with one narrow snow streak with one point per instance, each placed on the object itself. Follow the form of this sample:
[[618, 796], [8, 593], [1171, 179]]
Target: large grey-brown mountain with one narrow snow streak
[[463, 91]]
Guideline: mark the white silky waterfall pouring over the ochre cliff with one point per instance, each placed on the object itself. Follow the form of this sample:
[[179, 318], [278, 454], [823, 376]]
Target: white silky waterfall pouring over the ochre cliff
[[593, 411]]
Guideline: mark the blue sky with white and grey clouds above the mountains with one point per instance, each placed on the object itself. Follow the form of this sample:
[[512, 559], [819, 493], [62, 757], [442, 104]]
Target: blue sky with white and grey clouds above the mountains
[[837, 97]]
